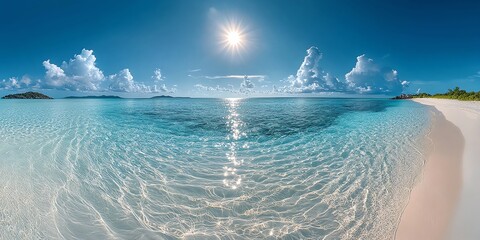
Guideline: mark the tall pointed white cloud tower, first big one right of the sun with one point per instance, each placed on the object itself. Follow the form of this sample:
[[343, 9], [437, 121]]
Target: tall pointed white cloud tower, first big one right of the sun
[[311, 78]]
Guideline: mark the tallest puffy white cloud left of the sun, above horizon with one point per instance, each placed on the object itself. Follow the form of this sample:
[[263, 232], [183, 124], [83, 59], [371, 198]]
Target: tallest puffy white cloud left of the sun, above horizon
[[78, 74]]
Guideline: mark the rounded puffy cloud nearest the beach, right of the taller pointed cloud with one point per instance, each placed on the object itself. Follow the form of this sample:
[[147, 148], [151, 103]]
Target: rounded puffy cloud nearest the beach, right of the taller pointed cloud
[[369, 77]]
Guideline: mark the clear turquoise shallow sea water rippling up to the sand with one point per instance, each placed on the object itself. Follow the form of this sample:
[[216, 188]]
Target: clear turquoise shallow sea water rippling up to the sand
[[290, 168]]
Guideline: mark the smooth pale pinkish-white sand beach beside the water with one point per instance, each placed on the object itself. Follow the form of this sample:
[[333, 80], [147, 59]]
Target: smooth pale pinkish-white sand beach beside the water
[[444, 202]]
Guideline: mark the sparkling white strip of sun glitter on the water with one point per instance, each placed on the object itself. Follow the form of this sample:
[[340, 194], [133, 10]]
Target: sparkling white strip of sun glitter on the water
[[231, 177]]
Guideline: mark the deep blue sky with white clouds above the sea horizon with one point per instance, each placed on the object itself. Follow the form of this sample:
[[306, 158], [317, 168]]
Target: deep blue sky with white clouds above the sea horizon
[[289, 47]]
